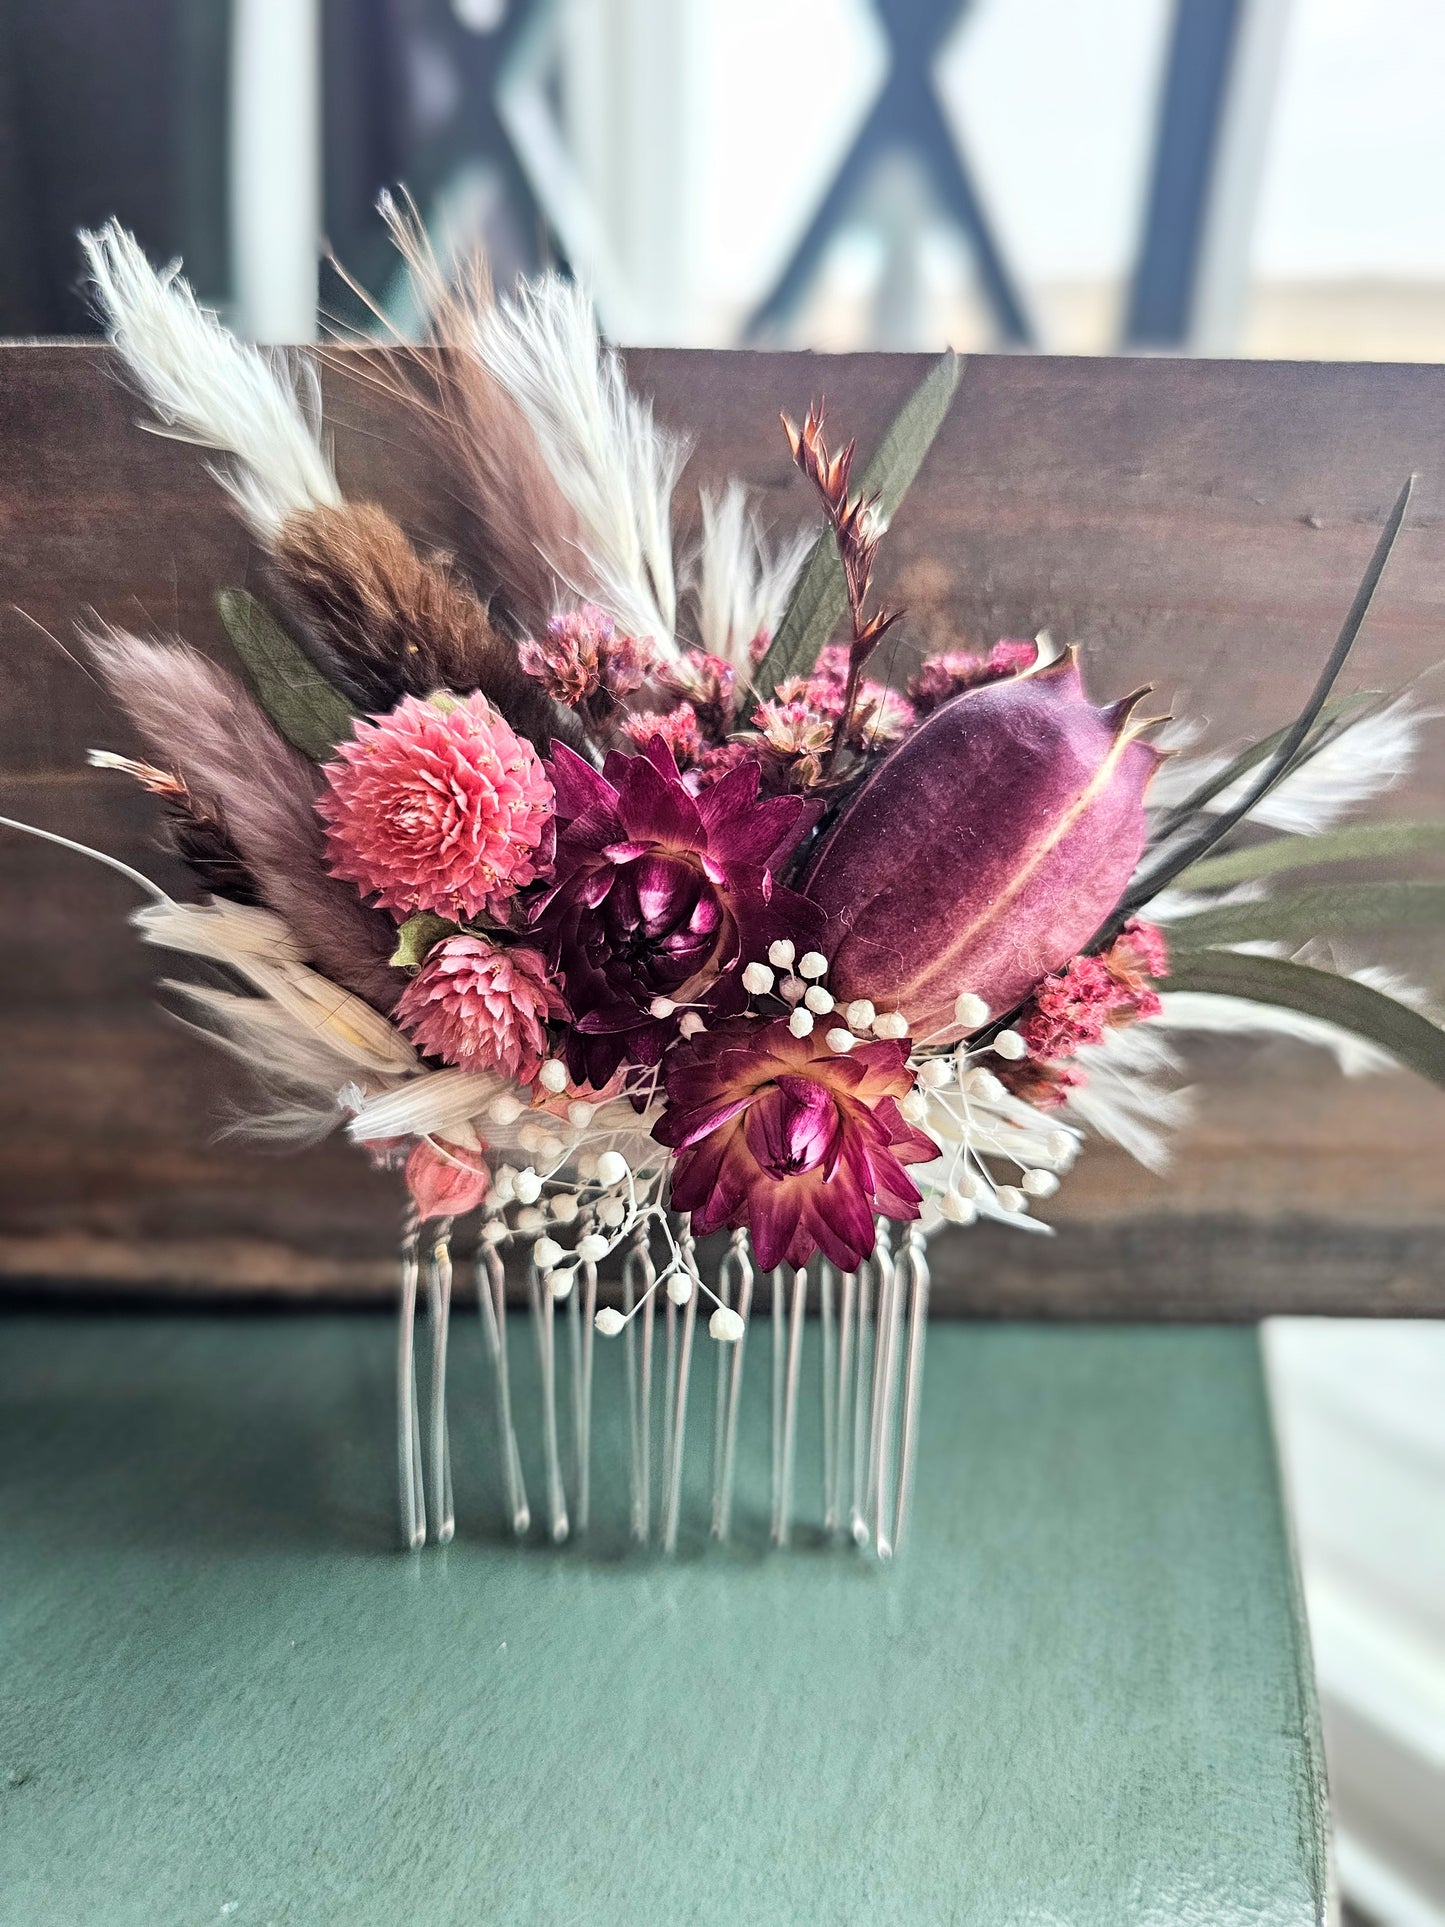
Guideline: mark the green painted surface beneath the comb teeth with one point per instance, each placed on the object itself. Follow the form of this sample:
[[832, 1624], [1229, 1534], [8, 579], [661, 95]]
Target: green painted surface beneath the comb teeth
[[1084, 1699]]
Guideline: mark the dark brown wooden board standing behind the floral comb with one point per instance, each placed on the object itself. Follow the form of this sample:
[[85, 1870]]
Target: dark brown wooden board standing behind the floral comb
[[1199, 525]]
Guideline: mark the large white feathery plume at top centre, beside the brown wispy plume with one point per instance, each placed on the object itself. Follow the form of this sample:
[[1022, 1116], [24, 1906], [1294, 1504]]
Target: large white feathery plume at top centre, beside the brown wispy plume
[[612, 462]]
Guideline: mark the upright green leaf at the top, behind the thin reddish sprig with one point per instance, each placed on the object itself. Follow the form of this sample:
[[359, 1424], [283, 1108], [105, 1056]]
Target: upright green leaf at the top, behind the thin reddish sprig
[[820, 598]]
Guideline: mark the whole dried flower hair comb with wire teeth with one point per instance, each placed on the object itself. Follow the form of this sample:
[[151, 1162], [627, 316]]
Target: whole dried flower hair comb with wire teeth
[[621, 909]]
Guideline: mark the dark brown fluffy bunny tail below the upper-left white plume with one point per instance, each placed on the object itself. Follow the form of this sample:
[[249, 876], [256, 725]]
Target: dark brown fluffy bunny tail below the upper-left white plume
[[400, 623]]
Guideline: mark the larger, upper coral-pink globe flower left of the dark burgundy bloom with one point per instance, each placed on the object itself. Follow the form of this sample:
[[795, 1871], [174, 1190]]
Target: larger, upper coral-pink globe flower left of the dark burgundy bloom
[[438, 806]]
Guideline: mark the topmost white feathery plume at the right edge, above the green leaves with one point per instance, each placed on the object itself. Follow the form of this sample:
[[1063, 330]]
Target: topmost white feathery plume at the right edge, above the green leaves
[[1361, 762]]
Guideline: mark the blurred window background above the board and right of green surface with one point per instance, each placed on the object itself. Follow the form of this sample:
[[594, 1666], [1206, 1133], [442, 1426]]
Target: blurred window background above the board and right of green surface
[[1064, 176]]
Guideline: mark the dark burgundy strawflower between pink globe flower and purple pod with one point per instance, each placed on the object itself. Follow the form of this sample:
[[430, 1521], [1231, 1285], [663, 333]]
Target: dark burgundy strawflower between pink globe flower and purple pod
[[662, 895]]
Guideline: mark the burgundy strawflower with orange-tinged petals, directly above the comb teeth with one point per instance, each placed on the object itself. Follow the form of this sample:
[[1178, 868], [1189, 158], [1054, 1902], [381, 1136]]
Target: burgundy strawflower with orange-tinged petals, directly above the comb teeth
[[799, 1144]]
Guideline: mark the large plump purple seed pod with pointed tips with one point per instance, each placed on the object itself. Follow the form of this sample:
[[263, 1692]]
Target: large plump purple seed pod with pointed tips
[[985, 851]]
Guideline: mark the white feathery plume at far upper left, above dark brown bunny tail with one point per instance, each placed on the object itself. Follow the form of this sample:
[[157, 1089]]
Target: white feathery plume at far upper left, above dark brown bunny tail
[[209, 388]]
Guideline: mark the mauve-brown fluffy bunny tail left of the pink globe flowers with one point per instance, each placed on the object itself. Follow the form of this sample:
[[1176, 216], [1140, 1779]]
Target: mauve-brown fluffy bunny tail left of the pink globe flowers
[[201, 724]]
